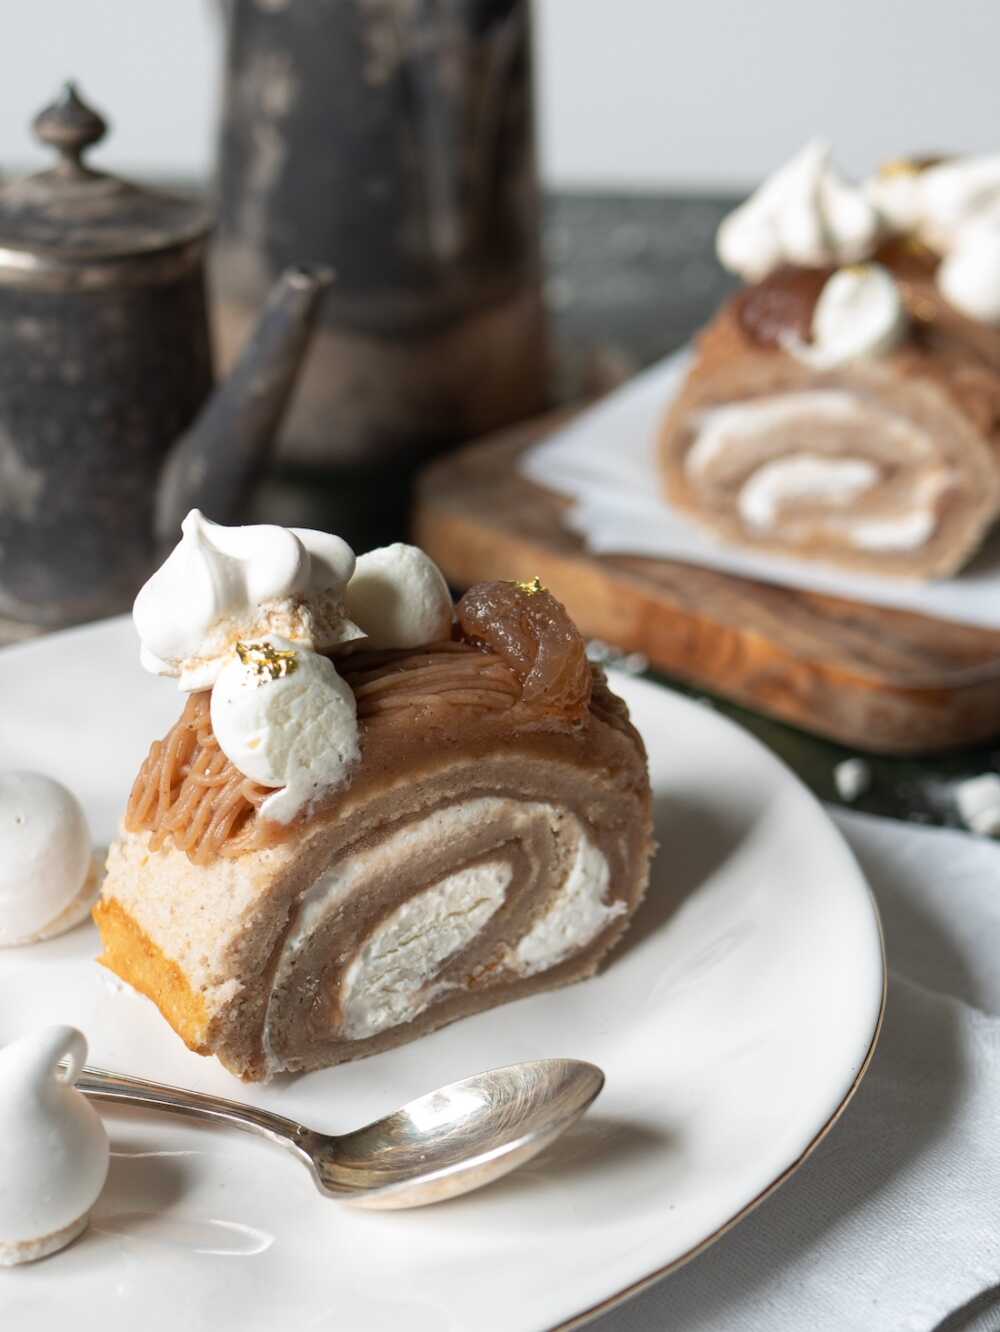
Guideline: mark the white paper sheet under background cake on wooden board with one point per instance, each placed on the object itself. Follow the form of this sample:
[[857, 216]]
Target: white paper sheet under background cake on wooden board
[[607, 460]]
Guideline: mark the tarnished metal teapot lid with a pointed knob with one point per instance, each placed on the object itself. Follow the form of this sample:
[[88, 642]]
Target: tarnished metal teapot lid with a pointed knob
[[71, 216]]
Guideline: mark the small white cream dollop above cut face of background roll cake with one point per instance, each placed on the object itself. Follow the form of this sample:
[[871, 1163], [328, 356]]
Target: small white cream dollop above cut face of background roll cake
[[860, 314]]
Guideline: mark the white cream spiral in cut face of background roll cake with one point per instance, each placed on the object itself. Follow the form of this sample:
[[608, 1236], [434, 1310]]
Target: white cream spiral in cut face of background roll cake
[[792, 466]]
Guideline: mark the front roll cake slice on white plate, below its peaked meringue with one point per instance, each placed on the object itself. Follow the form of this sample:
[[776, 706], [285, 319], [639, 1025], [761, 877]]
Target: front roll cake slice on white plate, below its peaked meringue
[[336, 852]]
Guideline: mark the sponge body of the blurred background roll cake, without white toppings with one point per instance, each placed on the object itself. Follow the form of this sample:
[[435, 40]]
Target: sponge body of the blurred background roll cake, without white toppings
[[887, 464]]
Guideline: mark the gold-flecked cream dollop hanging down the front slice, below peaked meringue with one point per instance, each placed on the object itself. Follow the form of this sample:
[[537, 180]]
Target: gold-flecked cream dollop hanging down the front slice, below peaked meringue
[[286, 719]]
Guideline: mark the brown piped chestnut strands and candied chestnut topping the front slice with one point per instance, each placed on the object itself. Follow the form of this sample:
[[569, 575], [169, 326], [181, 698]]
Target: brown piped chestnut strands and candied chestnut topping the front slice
[[515, 652]]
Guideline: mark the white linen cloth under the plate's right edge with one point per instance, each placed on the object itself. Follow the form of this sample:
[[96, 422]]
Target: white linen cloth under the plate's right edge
[[894, 1223]]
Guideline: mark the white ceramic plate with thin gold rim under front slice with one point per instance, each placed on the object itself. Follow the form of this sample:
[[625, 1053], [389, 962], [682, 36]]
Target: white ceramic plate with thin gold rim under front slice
[[733, 1025]]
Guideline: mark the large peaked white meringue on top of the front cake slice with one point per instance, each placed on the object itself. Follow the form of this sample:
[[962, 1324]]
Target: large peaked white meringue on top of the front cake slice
[[226, 584]]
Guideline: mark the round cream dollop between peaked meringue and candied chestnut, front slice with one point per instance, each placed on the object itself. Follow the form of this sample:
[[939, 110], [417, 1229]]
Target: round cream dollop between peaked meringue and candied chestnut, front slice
[[399, 599]]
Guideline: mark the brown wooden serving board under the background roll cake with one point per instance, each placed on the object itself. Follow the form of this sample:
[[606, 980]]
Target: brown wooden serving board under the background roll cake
[[885, 681]]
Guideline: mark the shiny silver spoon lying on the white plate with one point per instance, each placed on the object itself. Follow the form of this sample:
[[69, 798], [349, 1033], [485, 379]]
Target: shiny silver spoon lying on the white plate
[[443, 1145]]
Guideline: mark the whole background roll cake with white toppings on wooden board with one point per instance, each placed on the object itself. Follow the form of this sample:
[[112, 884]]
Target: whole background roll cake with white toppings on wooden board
[[846, 404]]
